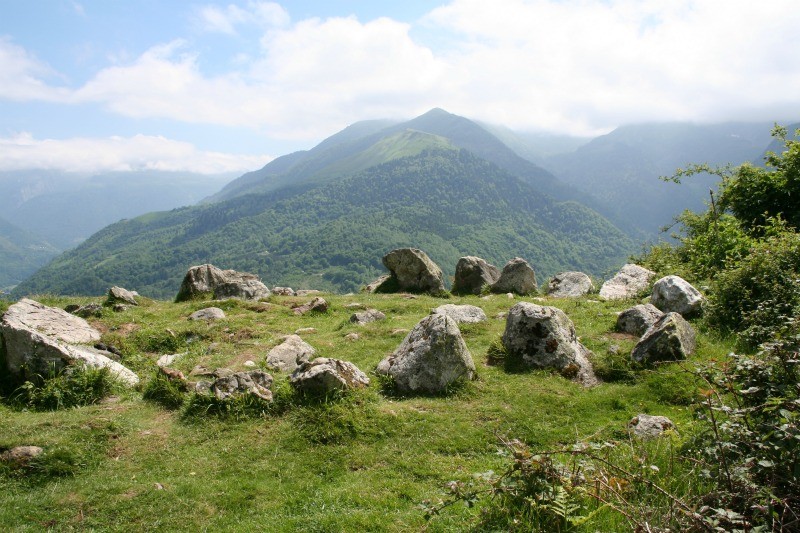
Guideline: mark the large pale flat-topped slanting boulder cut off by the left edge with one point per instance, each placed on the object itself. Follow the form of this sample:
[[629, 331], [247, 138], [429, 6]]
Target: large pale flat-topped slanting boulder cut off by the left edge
[[38, 340]]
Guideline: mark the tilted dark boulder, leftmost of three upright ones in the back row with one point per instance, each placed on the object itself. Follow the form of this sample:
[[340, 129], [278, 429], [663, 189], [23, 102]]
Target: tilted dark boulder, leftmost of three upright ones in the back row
[[412, 270]]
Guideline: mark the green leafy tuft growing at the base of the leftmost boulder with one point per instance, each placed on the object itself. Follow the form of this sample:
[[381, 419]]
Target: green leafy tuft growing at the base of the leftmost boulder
[[71, 387]]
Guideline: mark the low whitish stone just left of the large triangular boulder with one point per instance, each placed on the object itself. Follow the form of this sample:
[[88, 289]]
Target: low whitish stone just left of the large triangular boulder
[[323, 376]]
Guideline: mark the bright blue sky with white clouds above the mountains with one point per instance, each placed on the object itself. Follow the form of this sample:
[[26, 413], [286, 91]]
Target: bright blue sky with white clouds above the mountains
[[212, 87]]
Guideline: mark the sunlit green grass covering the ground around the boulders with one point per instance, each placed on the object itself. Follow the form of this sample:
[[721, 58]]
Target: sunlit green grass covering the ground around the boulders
[[365, 461]]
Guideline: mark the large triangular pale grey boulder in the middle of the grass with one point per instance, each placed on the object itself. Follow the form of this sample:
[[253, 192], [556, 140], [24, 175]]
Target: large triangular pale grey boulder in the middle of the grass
[[431, 358]]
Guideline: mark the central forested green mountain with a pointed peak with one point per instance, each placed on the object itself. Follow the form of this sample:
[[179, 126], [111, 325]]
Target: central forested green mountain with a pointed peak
[[412, 189]]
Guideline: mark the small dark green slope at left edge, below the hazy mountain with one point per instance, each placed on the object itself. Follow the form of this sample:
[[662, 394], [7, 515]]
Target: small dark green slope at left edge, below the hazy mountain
[[21, 253]]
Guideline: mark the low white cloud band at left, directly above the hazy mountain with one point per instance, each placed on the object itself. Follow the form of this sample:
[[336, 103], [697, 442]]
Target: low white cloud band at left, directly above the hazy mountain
[[140, 152]]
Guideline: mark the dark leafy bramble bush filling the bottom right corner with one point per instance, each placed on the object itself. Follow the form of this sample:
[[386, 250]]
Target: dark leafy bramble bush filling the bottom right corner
[[750, 448]]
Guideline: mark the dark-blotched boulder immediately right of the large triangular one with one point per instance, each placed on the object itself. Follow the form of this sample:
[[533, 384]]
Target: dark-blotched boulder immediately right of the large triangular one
[[544, 337]]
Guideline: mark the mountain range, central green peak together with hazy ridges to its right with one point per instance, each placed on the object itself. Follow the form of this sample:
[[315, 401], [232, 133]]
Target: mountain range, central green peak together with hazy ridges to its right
[[323, 218]]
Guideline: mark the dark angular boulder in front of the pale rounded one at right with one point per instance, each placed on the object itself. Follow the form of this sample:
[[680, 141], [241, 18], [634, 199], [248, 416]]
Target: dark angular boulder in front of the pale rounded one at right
[[671, 338]]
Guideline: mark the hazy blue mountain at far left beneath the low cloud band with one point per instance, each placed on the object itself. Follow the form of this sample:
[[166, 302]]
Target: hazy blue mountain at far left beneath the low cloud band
[[65, 208]]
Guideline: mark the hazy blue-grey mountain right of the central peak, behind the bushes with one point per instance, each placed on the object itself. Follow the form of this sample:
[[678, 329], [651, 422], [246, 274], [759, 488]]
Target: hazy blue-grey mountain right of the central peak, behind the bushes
[[622, 169]]
